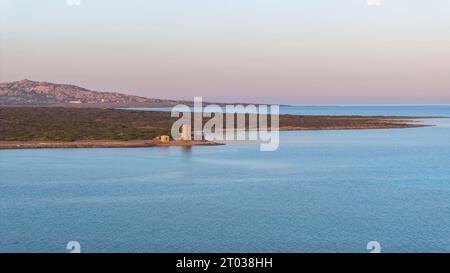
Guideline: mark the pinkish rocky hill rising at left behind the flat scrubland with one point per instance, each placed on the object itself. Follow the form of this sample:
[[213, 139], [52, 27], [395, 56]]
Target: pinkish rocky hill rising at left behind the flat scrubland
[[35, 93]]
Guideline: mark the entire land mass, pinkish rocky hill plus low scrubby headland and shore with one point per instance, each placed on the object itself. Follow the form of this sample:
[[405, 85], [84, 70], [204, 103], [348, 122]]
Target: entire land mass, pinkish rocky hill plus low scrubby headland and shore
[[46, 115]]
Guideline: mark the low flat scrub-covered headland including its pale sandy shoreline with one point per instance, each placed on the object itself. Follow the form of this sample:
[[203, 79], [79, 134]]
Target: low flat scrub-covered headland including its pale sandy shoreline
[[41, 127]]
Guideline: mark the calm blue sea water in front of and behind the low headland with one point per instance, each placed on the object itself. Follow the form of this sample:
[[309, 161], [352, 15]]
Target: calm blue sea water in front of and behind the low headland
[[321, 191]]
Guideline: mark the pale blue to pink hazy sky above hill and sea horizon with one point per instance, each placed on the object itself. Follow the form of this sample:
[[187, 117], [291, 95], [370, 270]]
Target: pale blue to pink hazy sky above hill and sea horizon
[[274, 51]]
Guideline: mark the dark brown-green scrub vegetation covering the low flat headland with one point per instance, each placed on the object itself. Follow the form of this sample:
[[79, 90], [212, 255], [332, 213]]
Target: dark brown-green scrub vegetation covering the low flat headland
[[70, 124]]
